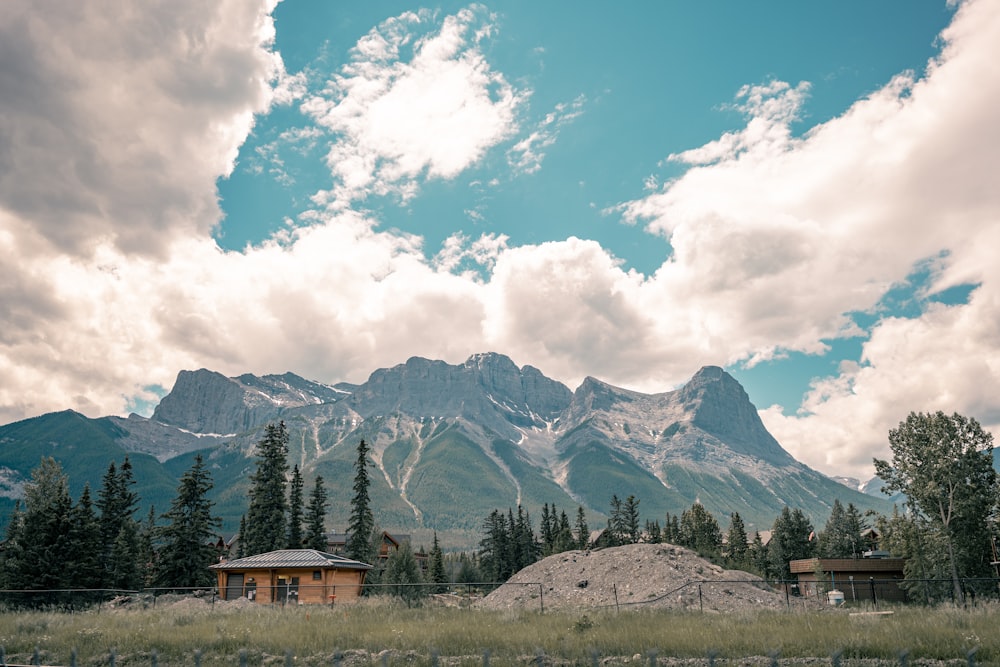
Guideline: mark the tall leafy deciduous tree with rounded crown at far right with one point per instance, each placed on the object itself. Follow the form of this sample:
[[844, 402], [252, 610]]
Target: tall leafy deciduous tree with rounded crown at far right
[[944, 465]]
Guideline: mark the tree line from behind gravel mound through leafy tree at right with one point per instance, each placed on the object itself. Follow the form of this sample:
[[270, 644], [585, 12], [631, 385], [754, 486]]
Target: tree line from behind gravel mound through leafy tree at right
[[947, 529]]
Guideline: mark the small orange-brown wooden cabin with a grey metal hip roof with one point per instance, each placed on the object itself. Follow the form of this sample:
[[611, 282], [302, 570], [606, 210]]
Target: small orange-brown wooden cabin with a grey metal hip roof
[[292, 576]]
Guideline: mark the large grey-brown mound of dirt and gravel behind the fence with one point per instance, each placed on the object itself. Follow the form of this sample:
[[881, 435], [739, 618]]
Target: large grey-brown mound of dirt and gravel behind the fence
[[640, 576]]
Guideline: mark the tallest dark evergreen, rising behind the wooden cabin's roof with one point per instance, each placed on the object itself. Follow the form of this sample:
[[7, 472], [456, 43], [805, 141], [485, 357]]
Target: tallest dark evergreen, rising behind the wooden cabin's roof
[[265, 518]]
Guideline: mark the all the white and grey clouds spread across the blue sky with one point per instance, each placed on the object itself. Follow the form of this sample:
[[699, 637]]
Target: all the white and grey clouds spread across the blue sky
[[114, 133]]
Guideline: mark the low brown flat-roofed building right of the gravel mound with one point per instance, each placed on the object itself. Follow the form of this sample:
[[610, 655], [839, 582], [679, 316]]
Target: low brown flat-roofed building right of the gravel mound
[[856, 578]]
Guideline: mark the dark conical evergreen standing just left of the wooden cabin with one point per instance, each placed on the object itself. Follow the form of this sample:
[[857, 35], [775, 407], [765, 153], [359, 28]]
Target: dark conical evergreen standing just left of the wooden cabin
[[188, 548]]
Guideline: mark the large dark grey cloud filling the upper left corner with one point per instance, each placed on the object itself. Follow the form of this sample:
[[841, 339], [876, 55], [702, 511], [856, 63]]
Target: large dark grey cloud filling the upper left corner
[[116, 118]]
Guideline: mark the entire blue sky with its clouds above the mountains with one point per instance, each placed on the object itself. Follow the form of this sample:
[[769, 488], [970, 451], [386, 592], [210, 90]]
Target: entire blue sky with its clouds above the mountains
[[807, 194]]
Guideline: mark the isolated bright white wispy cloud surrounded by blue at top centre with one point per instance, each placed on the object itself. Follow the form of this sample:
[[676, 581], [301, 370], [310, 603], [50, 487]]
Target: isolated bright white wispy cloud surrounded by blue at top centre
[[397, 121]]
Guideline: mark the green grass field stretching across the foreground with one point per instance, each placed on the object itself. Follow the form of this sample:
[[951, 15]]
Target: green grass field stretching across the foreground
[[381, 633]]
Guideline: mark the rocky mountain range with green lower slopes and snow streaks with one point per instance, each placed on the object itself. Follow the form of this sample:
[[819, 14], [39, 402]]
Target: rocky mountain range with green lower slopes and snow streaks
[[450, 443]]
